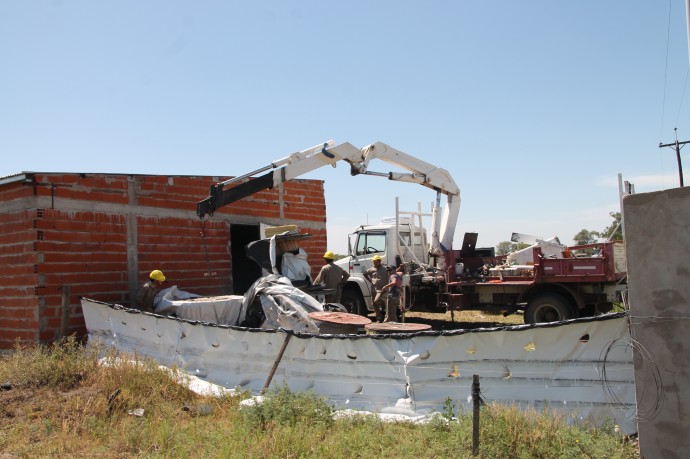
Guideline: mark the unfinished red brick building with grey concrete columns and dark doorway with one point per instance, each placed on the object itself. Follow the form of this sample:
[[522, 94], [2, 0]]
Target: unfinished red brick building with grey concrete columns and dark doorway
[[69, 235]]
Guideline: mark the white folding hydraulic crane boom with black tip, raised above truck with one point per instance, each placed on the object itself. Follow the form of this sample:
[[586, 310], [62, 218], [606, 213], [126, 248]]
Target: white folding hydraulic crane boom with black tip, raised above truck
[[305, 161]]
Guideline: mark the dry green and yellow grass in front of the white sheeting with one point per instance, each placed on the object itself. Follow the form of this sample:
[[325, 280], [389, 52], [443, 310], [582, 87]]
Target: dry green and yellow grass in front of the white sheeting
[[63, 403]]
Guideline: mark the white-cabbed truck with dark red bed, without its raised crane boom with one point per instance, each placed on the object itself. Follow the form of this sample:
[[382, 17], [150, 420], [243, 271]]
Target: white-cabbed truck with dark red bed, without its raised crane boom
[[547, 281]]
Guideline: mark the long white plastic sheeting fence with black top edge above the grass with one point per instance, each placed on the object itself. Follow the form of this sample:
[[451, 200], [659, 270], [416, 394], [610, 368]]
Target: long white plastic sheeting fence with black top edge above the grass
[[582, 368]]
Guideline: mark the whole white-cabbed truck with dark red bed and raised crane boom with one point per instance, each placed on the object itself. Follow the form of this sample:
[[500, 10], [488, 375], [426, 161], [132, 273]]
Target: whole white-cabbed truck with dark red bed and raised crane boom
[[546, 286]]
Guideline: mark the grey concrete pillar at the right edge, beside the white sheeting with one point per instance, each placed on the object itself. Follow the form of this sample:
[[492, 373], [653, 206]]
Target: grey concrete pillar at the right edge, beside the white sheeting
[[657, 241]]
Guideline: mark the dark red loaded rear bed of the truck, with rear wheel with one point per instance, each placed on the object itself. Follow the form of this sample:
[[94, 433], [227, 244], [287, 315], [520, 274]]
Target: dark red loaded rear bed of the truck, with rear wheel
[[548, 285]]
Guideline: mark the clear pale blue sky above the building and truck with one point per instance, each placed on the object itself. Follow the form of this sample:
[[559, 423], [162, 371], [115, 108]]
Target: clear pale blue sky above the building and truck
[[534, 107]]
